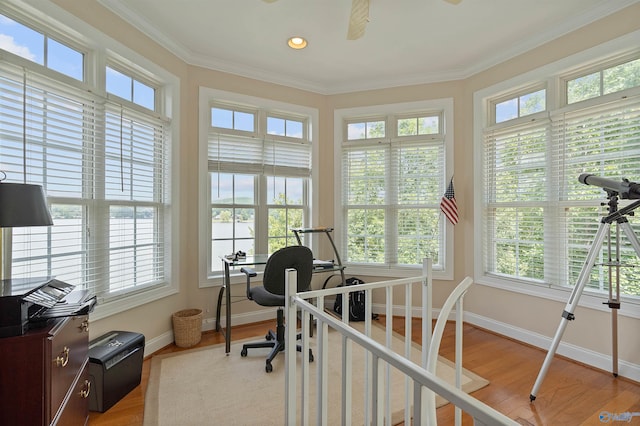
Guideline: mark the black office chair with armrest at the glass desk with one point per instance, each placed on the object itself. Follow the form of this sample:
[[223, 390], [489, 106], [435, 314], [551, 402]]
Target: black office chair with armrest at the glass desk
[[272, 291]]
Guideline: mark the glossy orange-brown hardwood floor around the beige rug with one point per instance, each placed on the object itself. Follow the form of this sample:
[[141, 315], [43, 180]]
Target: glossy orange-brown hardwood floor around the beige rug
[[571, 394]]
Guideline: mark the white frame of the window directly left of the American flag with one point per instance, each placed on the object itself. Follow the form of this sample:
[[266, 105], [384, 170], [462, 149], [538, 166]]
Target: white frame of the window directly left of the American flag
[[342, 117]]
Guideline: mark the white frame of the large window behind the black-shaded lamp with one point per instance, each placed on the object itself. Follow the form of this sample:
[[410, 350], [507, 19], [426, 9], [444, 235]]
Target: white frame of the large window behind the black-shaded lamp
[[75, 33]]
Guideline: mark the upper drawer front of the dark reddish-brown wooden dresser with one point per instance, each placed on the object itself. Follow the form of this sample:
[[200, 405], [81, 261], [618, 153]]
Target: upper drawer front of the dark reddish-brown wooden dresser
[[69, 354]]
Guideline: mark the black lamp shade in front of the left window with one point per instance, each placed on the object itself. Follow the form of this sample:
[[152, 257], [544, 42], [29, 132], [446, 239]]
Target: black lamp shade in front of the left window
[[23, 204]]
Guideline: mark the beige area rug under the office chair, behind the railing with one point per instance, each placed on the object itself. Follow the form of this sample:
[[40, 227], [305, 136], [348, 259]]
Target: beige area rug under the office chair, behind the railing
[[205, 387]]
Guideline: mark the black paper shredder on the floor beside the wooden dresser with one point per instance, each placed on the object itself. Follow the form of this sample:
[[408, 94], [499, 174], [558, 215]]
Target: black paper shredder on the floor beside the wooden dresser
[[115, 367]]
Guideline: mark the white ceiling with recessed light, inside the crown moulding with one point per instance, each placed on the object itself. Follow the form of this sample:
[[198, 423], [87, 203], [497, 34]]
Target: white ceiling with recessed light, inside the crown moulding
[[405, 42]]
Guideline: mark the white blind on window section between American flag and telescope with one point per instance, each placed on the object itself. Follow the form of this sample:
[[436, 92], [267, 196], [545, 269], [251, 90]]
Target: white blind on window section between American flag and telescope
[[516, 198]]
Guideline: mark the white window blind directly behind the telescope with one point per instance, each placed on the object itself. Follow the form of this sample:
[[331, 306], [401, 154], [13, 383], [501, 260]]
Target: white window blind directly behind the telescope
[[604, 140]]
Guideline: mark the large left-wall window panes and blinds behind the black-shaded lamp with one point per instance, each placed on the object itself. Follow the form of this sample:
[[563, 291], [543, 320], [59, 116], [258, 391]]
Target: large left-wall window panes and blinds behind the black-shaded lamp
[[104, 165]]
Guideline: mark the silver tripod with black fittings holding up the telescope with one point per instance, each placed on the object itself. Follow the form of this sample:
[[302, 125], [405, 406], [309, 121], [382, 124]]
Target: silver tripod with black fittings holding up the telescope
[[604, 230]]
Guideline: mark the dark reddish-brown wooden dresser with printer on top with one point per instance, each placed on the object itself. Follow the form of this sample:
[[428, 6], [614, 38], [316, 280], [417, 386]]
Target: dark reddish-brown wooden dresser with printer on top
[[44, 375]]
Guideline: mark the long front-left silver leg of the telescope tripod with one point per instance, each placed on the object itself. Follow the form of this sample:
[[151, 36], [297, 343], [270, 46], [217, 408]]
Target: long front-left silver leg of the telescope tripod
[[567, 314]]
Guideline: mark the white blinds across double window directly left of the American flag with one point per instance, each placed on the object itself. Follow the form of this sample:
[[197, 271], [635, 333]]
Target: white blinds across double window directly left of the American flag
[[391, 194]]
